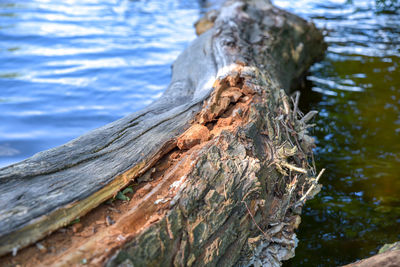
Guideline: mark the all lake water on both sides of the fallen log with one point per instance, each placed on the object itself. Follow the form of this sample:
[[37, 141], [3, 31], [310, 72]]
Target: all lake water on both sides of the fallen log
[[67, 67]]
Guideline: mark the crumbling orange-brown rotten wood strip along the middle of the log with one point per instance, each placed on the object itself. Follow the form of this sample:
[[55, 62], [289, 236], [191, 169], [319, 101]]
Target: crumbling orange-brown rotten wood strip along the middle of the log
[[226, 110]]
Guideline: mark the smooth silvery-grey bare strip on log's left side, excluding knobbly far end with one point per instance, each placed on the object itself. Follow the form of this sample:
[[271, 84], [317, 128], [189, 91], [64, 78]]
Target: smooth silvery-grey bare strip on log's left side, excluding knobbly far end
[[52, 188]]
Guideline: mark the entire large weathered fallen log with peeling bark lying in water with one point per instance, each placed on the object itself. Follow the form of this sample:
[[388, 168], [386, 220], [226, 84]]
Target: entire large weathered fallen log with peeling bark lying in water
[[220, 164]]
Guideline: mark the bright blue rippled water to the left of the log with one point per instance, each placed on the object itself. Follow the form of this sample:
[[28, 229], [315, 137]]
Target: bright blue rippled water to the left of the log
[[70, 66]]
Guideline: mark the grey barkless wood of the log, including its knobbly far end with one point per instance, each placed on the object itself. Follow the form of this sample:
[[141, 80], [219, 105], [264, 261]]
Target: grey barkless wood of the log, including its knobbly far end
[[52, 188]]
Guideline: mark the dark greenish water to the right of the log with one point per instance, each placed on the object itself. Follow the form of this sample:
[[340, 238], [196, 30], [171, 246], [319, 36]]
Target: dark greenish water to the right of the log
[[357, 91]]
